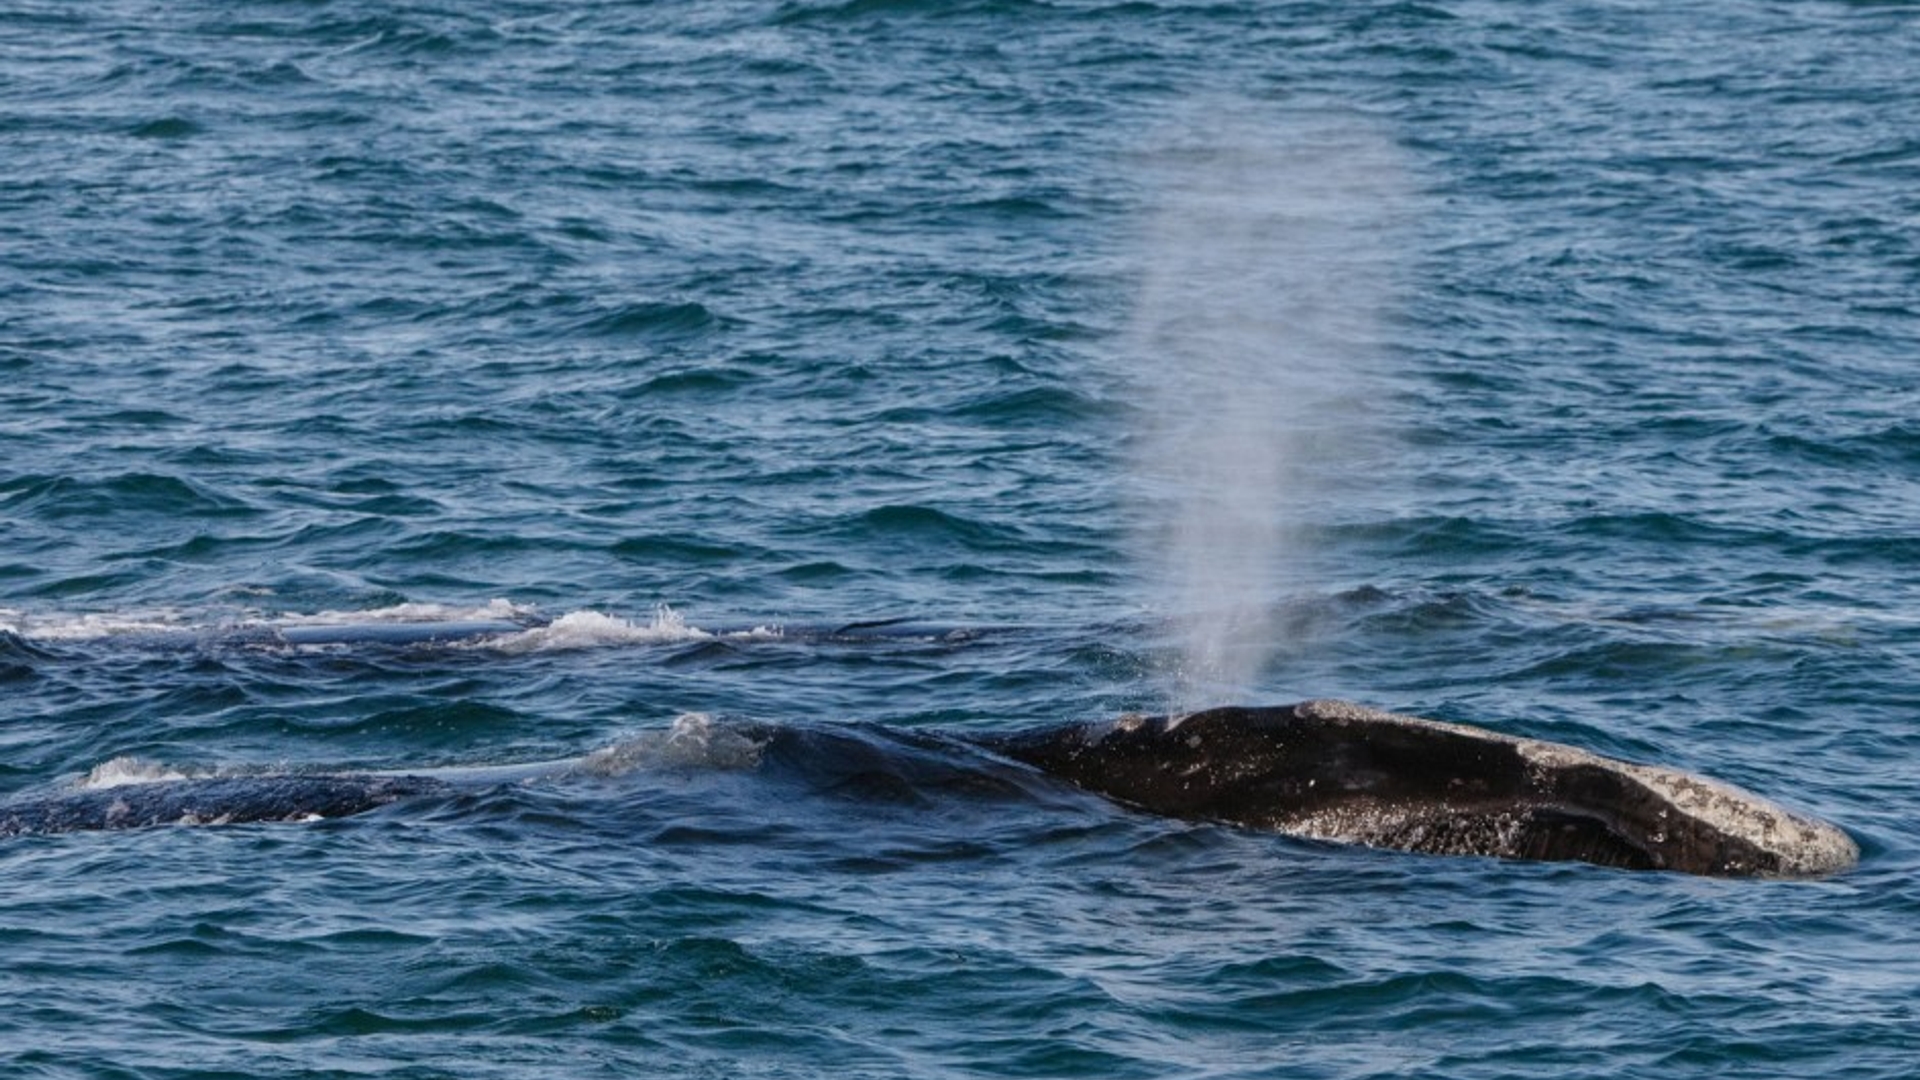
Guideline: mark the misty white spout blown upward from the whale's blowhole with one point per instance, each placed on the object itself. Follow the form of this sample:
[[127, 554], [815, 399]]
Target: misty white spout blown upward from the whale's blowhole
[[1266, 270]]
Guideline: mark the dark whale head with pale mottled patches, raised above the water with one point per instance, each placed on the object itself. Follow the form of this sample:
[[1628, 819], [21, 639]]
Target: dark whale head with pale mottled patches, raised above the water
[[1355, 775]]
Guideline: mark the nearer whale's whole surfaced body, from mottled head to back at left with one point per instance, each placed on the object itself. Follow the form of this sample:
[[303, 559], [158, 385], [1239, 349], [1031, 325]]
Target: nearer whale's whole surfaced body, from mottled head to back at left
[[1320, 772]]
